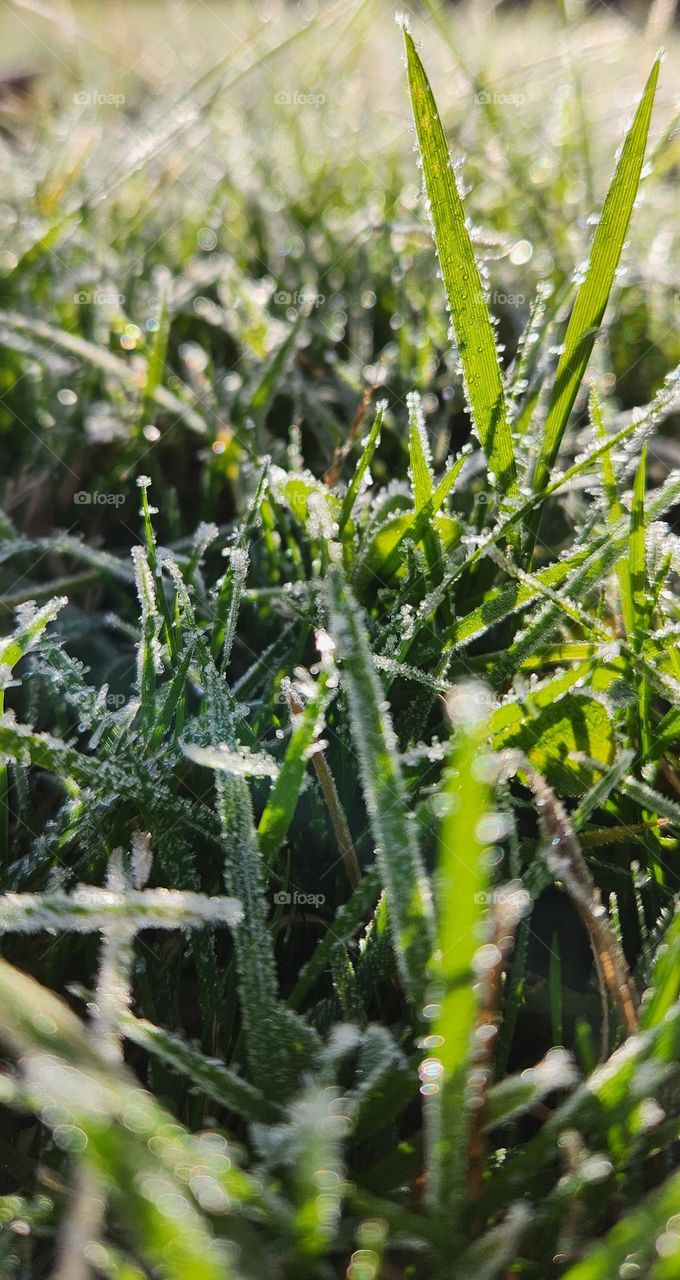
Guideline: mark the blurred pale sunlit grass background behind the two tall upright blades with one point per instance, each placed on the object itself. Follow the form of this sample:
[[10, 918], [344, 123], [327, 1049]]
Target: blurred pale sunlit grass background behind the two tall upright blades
[[263, 157]]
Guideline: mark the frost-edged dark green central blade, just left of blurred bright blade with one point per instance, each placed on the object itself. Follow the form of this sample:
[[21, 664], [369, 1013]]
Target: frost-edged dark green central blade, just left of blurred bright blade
[[387, 802]]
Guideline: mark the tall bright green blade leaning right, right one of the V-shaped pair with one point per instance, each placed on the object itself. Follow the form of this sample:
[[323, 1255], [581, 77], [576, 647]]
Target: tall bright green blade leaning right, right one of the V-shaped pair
[[595, 292]]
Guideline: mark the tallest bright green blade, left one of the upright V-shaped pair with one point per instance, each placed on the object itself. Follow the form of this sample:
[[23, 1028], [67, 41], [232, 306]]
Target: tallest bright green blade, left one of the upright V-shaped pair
[[463, 281]]
